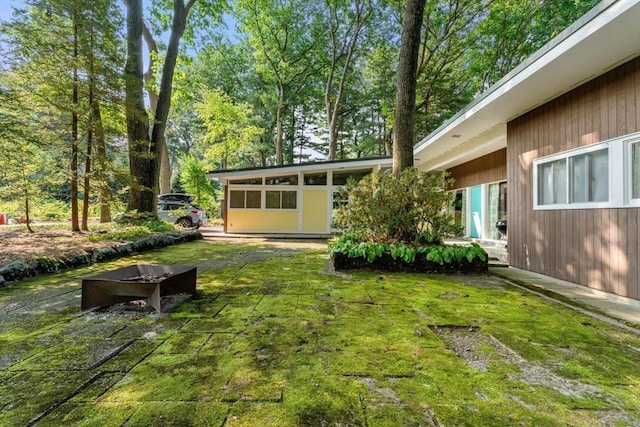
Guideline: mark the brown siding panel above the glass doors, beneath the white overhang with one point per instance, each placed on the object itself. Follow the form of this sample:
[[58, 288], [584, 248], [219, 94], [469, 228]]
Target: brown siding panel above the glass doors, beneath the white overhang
[[483, 170]]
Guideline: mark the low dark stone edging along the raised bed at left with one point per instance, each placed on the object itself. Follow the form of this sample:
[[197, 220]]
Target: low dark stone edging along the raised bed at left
[[19, 270]]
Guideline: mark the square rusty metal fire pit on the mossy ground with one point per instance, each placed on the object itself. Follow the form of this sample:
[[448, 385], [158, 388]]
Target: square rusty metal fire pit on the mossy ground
[[138, 281]]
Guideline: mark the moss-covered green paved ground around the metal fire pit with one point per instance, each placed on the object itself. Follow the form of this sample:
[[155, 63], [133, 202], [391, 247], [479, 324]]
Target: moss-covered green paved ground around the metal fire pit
[[274, 339]]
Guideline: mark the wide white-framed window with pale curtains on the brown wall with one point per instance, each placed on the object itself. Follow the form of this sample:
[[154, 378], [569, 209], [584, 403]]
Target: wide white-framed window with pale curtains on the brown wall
[[579, 177]]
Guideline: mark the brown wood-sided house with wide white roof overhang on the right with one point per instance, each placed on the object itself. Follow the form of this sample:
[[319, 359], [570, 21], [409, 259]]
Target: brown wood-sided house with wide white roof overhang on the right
[[554, 147]]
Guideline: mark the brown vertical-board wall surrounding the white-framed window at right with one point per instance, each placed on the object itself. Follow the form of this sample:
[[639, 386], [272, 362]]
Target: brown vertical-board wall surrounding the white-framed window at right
[[595, 247]]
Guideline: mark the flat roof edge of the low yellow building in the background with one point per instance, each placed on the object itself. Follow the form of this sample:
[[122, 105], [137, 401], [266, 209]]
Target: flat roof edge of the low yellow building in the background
[[223, 176]]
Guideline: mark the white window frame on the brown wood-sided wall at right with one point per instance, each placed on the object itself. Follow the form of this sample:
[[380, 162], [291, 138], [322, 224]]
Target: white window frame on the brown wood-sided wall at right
[[620, 174]]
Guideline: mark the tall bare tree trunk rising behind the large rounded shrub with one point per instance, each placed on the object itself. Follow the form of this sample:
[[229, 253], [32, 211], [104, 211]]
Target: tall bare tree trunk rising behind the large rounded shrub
[[404, 127]]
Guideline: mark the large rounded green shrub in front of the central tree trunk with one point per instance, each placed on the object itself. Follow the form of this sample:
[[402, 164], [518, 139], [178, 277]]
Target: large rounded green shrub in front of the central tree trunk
[[410, 209]]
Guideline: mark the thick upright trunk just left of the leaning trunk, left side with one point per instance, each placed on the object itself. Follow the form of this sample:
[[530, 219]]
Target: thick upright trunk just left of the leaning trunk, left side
[[142, 155]]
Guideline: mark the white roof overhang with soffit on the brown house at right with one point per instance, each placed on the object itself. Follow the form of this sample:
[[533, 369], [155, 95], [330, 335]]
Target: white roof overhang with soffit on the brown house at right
[[604, 38]]
